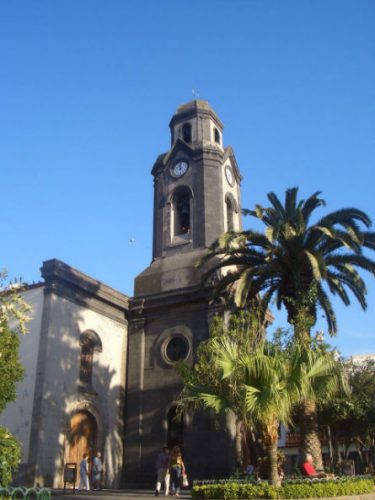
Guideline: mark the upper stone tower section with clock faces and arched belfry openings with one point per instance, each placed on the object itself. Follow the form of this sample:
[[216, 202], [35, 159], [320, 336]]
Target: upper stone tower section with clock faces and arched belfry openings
[[196, 198]]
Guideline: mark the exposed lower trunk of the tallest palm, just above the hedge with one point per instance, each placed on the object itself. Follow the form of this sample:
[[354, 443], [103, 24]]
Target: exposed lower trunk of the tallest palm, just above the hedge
[[310, 436]]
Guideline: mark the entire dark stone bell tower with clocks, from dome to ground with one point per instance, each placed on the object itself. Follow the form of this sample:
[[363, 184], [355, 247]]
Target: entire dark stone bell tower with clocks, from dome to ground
[[196, 199]]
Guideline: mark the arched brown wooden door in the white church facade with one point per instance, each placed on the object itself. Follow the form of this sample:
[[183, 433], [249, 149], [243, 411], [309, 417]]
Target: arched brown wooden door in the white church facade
[[82, 437]]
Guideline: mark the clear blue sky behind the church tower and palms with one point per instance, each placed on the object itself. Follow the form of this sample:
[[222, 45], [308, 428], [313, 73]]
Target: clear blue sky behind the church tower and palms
[[87, 89]]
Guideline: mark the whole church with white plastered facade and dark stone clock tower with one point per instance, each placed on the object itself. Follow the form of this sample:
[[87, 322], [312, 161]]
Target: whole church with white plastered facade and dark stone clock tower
[[99, 364]]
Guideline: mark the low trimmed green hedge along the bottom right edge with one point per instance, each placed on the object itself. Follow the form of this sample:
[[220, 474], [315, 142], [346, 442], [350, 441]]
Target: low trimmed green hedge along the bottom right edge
[[290, 489]]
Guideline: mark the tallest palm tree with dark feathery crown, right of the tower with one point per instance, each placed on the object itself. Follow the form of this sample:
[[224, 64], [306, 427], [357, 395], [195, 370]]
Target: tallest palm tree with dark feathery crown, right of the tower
[[299, 264]]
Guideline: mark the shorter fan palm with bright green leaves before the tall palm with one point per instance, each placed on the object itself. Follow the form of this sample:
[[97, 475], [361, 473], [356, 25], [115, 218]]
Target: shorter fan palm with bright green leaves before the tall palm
[[268, 383]]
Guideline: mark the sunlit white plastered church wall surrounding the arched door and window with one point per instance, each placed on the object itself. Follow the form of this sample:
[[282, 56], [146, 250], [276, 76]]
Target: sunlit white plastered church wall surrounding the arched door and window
[[61, 396]]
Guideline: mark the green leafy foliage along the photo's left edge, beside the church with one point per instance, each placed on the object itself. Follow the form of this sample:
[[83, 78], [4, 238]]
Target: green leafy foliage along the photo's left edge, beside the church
[[13, 319]]
